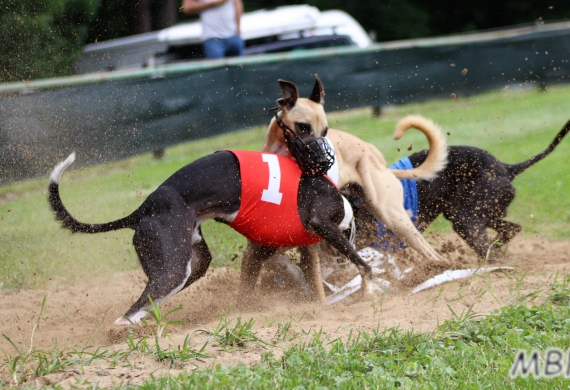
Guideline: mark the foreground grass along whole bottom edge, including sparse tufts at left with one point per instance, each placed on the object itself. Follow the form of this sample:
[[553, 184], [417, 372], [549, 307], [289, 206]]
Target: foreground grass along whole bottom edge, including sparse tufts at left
[[466, 351]]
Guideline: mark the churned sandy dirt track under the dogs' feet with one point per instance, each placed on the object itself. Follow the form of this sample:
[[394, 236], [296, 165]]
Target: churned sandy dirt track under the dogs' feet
[[82, 312]]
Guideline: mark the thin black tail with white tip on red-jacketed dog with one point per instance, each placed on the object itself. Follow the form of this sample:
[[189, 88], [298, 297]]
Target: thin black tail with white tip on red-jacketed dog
[[61, 213]]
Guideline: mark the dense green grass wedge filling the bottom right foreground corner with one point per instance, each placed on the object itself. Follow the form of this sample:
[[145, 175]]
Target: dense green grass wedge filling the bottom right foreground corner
[[466, 351]]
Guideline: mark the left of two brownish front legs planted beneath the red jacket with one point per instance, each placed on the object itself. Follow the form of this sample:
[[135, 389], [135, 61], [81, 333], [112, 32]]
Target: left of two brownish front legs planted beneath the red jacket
[[251, 263]]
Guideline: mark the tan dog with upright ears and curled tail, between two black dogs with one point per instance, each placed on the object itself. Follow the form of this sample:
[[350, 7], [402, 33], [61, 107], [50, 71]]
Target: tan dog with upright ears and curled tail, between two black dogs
[[359, 163]]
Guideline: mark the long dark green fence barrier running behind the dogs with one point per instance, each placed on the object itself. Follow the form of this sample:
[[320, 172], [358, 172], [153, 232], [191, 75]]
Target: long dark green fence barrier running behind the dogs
[[116, 114]]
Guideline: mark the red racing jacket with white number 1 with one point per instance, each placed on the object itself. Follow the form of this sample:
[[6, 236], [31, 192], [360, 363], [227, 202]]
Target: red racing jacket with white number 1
[[268, 212]]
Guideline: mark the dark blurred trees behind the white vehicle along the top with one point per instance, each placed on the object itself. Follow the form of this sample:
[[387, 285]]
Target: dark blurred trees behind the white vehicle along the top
[[42, 38]]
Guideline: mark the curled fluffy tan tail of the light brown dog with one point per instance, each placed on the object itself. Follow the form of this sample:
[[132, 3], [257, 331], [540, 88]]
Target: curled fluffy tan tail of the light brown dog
[[436, 159]]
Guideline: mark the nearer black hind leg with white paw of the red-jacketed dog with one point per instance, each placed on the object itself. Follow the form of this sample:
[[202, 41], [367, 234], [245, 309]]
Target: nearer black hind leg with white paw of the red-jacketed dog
[[163, 244]]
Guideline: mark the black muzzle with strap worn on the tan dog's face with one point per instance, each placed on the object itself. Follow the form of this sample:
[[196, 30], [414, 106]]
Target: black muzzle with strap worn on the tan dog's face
[[314, 156]]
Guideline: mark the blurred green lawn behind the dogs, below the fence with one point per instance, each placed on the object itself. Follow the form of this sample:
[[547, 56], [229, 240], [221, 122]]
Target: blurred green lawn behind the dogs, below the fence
[[512, 125]]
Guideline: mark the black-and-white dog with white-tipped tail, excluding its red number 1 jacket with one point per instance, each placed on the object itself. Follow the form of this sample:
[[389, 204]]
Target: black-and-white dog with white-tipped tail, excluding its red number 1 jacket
[[168, 238]]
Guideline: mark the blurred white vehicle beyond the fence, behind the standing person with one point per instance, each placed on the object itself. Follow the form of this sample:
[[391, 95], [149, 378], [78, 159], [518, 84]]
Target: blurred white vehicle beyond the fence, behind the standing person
[[274, 30]]
